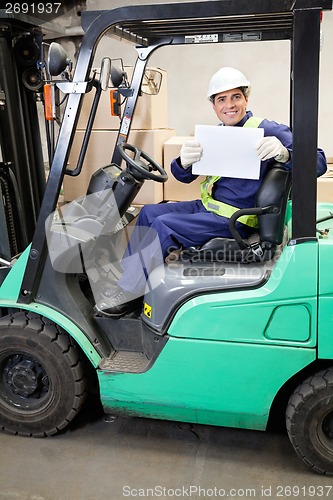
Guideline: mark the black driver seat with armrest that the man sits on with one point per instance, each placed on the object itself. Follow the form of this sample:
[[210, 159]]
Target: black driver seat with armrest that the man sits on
[[270, 207]]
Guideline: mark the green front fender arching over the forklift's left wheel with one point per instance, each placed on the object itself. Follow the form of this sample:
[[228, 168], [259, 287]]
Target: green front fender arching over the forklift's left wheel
[[9, 292]]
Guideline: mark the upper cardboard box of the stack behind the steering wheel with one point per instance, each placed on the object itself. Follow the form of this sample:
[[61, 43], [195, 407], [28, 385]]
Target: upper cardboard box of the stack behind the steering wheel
[[151, 111]]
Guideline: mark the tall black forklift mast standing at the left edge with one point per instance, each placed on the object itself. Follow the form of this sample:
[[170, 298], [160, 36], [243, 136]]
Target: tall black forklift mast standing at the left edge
[[22, 174]]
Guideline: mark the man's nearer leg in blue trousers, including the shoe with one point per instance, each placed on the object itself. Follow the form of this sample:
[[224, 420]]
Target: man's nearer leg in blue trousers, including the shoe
[[169, 229]]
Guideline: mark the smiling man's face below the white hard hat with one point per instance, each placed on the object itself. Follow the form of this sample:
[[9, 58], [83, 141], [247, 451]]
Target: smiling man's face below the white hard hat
[[230, 106]]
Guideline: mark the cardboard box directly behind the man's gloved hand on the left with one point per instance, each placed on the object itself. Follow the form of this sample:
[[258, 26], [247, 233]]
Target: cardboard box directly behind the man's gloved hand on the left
[[173, 189]]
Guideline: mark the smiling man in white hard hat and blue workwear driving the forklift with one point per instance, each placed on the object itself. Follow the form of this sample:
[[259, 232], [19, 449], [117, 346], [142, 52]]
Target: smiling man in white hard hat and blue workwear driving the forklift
[[189, 223]]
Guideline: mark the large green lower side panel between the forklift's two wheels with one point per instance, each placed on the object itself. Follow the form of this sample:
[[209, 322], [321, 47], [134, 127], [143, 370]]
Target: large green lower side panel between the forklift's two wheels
[[203, 381]]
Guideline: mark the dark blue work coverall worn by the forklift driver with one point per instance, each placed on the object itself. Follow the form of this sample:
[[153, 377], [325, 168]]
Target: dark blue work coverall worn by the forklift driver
[[187, 223]]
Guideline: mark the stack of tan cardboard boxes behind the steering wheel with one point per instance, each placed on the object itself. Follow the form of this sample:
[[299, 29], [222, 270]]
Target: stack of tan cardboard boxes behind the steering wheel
[[149, 132]]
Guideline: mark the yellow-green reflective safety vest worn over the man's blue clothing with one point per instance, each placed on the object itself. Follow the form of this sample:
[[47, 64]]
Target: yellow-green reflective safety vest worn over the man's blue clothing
[[219, 207]]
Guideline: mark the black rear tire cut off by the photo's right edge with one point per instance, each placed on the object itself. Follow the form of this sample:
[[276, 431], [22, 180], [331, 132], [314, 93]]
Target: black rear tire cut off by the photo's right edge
[[309, 420]]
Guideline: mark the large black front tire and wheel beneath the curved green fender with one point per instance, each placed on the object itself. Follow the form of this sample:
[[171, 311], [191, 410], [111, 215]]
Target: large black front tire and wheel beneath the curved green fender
[[42, 381]]
